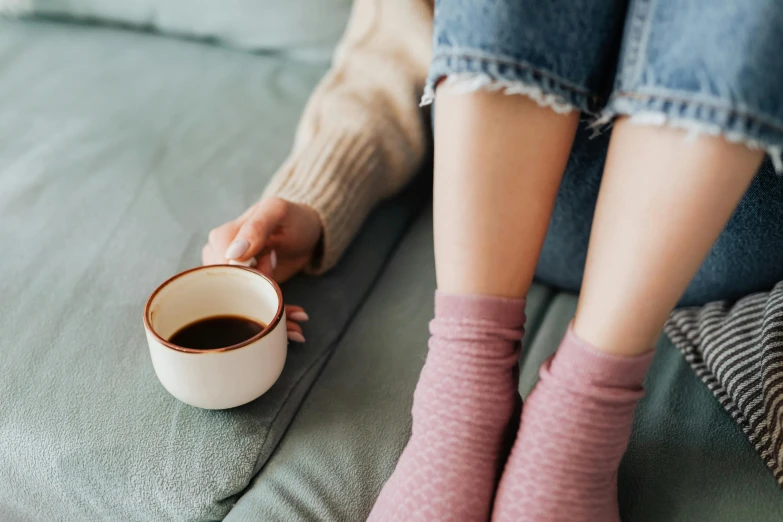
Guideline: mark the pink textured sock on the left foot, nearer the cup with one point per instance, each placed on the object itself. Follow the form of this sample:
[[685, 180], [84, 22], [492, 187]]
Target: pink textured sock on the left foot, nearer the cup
[[461, 408]]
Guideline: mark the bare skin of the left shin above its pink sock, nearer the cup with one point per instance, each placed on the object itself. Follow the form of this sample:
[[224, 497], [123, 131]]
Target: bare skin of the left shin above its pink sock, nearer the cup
[[498, 164]]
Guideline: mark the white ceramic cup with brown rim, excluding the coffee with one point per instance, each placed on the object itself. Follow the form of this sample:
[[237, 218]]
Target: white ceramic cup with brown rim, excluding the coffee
[[223, 377]]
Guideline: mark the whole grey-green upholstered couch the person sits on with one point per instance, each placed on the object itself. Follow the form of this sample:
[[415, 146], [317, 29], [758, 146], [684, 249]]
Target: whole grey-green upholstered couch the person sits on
[[119, 149]]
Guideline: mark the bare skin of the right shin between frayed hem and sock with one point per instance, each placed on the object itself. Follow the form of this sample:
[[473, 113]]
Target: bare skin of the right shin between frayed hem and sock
[[664, 200]]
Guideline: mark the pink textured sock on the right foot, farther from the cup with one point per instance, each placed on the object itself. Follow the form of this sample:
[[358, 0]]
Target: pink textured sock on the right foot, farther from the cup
[[575, 429]]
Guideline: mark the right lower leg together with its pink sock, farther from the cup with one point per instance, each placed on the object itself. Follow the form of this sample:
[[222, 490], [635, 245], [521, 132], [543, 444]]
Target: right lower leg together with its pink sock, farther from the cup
[[663, 202]]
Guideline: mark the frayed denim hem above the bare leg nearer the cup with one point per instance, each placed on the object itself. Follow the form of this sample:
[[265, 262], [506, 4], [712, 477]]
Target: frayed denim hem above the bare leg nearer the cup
[[470, 72]]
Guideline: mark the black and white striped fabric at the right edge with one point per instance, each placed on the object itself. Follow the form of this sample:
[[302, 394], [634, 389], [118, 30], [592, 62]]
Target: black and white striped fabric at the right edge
[[737, 350]]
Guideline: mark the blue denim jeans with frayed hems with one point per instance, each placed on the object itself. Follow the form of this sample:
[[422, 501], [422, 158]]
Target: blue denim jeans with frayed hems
[[708, 67]]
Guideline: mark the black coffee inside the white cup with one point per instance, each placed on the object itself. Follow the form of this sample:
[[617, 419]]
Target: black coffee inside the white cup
[[215, 332]]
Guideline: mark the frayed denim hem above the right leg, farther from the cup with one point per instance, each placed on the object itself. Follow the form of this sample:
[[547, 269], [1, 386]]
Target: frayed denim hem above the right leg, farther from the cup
[[698, 118]]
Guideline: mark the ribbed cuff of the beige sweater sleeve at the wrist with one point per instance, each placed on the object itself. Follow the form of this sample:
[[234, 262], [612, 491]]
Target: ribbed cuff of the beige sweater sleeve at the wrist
[[333, 175]]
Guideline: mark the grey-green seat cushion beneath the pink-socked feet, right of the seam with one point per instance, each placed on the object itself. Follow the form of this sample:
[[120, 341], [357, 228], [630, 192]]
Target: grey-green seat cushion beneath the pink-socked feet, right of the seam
[[687, 461]]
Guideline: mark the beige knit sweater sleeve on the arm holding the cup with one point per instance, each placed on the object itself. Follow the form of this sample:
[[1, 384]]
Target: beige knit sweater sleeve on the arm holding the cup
[[362, 136]]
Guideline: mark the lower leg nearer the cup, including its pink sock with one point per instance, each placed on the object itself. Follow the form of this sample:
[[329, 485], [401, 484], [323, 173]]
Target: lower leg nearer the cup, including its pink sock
[[498, 164]]
